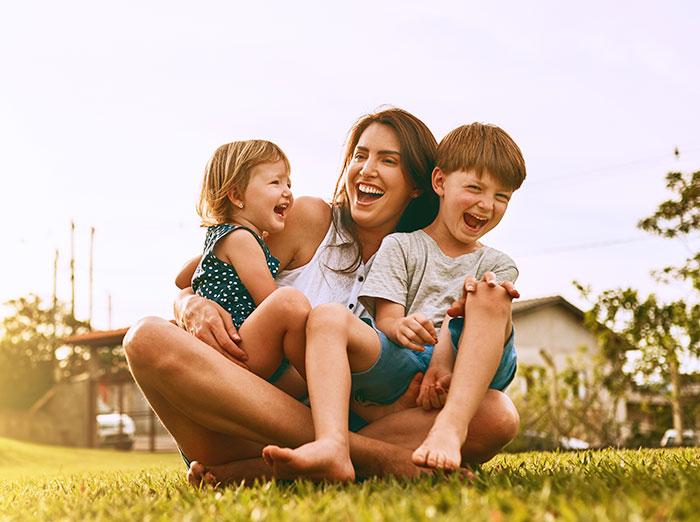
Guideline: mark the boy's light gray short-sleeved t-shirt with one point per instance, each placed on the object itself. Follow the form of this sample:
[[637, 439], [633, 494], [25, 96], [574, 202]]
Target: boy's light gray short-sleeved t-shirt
[[411, 270]]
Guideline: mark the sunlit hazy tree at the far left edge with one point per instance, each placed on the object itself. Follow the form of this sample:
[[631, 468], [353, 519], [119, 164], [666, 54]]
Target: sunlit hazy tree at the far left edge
[[30, 335]]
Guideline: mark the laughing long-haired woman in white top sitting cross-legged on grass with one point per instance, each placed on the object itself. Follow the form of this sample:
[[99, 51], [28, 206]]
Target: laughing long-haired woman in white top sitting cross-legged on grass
[[221, 414]]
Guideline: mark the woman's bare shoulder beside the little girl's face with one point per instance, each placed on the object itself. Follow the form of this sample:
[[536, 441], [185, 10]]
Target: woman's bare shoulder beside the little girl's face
[[306, 225]]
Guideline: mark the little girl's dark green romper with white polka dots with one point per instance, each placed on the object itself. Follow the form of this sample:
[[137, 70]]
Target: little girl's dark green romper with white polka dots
[[219, 281]]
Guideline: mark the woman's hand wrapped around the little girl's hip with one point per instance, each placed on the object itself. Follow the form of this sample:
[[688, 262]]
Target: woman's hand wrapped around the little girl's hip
[[209, 322]]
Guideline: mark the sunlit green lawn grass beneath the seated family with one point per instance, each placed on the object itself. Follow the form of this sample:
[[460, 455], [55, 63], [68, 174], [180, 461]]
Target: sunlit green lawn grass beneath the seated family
[[46, 483]]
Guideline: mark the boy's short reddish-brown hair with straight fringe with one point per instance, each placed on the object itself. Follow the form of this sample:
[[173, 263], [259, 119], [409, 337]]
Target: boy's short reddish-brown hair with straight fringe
[[482, 147]]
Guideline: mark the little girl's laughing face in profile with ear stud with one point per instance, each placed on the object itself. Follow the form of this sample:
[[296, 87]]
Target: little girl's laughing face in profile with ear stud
[[266, 200]]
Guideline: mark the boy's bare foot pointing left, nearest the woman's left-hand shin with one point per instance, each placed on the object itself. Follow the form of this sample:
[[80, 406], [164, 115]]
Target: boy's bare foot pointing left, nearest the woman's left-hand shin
[[324, 459]]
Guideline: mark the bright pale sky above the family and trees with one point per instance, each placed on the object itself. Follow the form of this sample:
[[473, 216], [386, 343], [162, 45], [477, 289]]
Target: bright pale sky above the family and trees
[[109, 111]]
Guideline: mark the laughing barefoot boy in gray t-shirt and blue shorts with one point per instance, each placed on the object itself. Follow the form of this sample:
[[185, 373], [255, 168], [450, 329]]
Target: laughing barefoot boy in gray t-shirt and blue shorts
[[413, 281]]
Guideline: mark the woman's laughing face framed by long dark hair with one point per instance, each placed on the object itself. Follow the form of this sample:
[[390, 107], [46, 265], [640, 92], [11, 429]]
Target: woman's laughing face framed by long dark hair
[[378, 190]]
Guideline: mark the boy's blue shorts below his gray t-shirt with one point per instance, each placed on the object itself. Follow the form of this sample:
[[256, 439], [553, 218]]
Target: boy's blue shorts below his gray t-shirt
[[388, 378]]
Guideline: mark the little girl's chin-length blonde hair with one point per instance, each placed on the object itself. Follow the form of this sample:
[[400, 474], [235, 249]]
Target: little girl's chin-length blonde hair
[[229, 170]]
